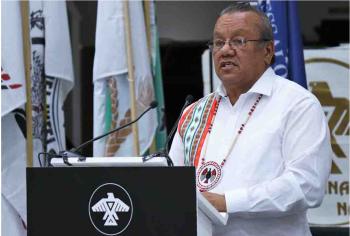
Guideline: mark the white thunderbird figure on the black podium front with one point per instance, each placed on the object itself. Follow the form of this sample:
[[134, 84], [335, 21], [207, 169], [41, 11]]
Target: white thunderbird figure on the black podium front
[[110, 206]]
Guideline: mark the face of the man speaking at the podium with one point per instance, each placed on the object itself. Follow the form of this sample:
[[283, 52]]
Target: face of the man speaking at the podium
[[240, 66]]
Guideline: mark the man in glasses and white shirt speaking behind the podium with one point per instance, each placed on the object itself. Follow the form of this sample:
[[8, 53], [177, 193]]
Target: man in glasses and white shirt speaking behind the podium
[[260, 143]]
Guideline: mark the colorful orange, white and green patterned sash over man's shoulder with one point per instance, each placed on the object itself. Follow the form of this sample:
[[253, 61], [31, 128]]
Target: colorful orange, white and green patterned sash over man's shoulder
[[194, 126]]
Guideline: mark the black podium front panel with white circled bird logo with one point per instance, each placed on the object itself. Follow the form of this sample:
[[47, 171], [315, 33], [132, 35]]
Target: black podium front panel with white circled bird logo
[[111, 201]]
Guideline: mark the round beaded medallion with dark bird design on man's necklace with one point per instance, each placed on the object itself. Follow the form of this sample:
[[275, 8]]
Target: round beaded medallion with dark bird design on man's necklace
[[208, 176]]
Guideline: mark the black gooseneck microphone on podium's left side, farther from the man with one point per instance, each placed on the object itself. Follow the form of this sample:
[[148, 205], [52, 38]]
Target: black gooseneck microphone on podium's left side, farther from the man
[[74, 152]]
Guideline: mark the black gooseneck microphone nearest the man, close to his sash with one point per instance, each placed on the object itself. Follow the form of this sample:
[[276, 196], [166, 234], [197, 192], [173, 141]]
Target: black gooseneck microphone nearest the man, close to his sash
[[165, 151]]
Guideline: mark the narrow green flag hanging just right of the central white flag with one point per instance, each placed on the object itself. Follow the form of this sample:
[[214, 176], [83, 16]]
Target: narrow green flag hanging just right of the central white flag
[[161, 133]]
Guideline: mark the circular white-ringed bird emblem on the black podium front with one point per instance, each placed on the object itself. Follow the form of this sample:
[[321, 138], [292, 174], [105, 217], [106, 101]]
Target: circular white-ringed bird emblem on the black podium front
[[110, 209]]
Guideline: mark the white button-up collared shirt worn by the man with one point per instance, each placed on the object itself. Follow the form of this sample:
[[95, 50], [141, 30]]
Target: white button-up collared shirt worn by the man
[[279, 165]]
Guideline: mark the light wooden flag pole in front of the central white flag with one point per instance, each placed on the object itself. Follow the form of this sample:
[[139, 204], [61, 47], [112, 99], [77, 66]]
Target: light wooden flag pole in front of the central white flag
[[131, 77]]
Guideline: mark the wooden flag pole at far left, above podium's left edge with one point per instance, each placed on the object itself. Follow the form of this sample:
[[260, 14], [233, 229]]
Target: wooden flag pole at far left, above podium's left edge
[[27, 63]]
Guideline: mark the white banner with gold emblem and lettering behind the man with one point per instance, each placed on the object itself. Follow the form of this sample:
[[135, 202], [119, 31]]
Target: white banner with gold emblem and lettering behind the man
[[327, 72]]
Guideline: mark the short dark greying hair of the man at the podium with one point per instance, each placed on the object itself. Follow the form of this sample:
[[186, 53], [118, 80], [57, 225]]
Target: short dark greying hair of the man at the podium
[[264, 26]]
